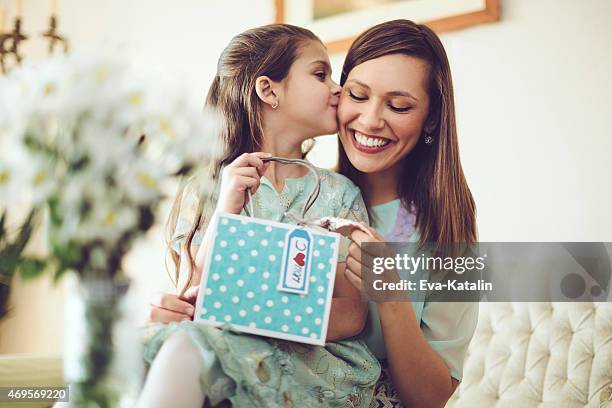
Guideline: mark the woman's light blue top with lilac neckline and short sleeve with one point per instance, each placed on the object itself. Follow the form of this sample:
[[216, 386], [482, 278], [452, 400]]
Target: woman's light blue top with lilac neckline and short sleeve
[[448, 326]]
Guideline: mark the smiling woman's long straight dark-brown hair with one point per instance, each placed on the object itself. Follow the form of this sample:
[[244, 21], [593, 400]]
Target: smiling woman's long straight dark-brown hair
[[432, 177]]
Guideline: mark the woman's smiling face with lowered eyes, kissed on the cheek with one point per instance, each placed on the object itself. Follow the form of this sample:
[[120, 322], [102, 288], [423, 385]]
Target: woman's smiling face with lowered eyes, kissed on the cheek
[[382, 111]]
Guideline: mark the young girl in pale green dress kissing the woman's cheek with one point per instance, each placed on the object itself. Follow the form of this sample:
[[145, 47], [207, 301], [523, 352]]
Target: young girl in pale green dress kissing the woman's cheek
[[274, 91]]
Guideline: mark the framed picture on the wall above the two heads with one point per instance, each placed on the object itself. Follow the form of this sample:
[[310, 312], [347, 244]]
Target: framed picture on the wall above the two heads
[[338, 22]]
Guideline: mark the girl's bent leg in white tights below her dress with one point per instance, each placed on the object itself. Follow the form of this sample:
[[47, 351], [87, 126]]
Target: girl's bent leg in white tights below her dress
[[174, 376]]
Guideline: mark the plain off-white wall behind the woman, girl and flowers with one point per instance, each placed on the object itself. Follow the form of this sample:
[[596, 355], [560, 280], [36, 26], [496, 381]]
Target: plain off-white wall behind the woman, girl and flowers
[[532, 95]]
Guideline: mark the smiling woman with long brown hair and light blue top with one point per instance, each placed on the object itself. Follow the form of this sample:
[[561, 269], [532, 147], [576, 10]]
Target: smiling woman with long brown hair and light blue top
[[399, 145]]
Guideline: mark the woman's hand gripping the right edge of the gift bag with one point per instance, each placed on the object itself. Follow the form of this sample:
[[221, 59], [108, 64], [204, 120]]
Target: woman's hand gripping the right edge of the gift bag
[[355, 264]]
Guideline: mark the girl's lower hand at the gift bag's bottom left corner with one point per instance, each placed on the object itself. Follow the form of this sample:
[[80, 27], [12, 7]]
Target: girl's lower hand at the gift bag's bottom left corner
[[167, 307]]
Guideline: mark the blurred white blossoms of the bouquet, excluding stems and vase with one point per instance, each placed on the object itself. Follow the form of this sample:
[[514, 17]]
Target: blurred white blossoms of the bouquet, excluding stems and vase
[[71, 135]]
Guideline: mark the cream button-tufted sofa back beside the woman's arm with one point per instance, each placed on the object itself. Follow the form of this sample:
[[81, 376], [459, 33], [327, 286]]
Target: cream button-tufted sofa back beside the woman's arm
[[538, 355]]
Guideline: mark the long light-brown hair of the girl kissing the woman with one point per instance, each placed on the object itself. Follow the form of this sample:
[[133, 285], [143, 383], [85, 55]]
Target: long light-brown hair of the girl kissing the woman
[[263, 51]]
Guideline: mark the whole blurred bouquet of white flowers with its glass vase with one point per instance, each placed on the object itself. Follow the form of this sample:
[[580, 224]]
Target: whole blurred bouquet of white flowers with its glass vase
[[86, 146]]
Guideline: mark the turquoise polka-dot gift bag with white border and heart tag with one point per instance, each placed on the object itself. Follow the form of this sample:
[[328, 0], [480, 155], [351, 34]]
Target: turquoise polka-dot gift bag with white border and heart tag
[[269, 278]]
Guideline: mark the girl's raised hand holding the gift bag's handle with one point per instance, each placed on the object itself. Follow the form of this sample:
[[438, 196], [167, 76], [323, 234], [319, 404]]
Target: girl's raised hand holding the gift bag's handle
[[243, 173]]
